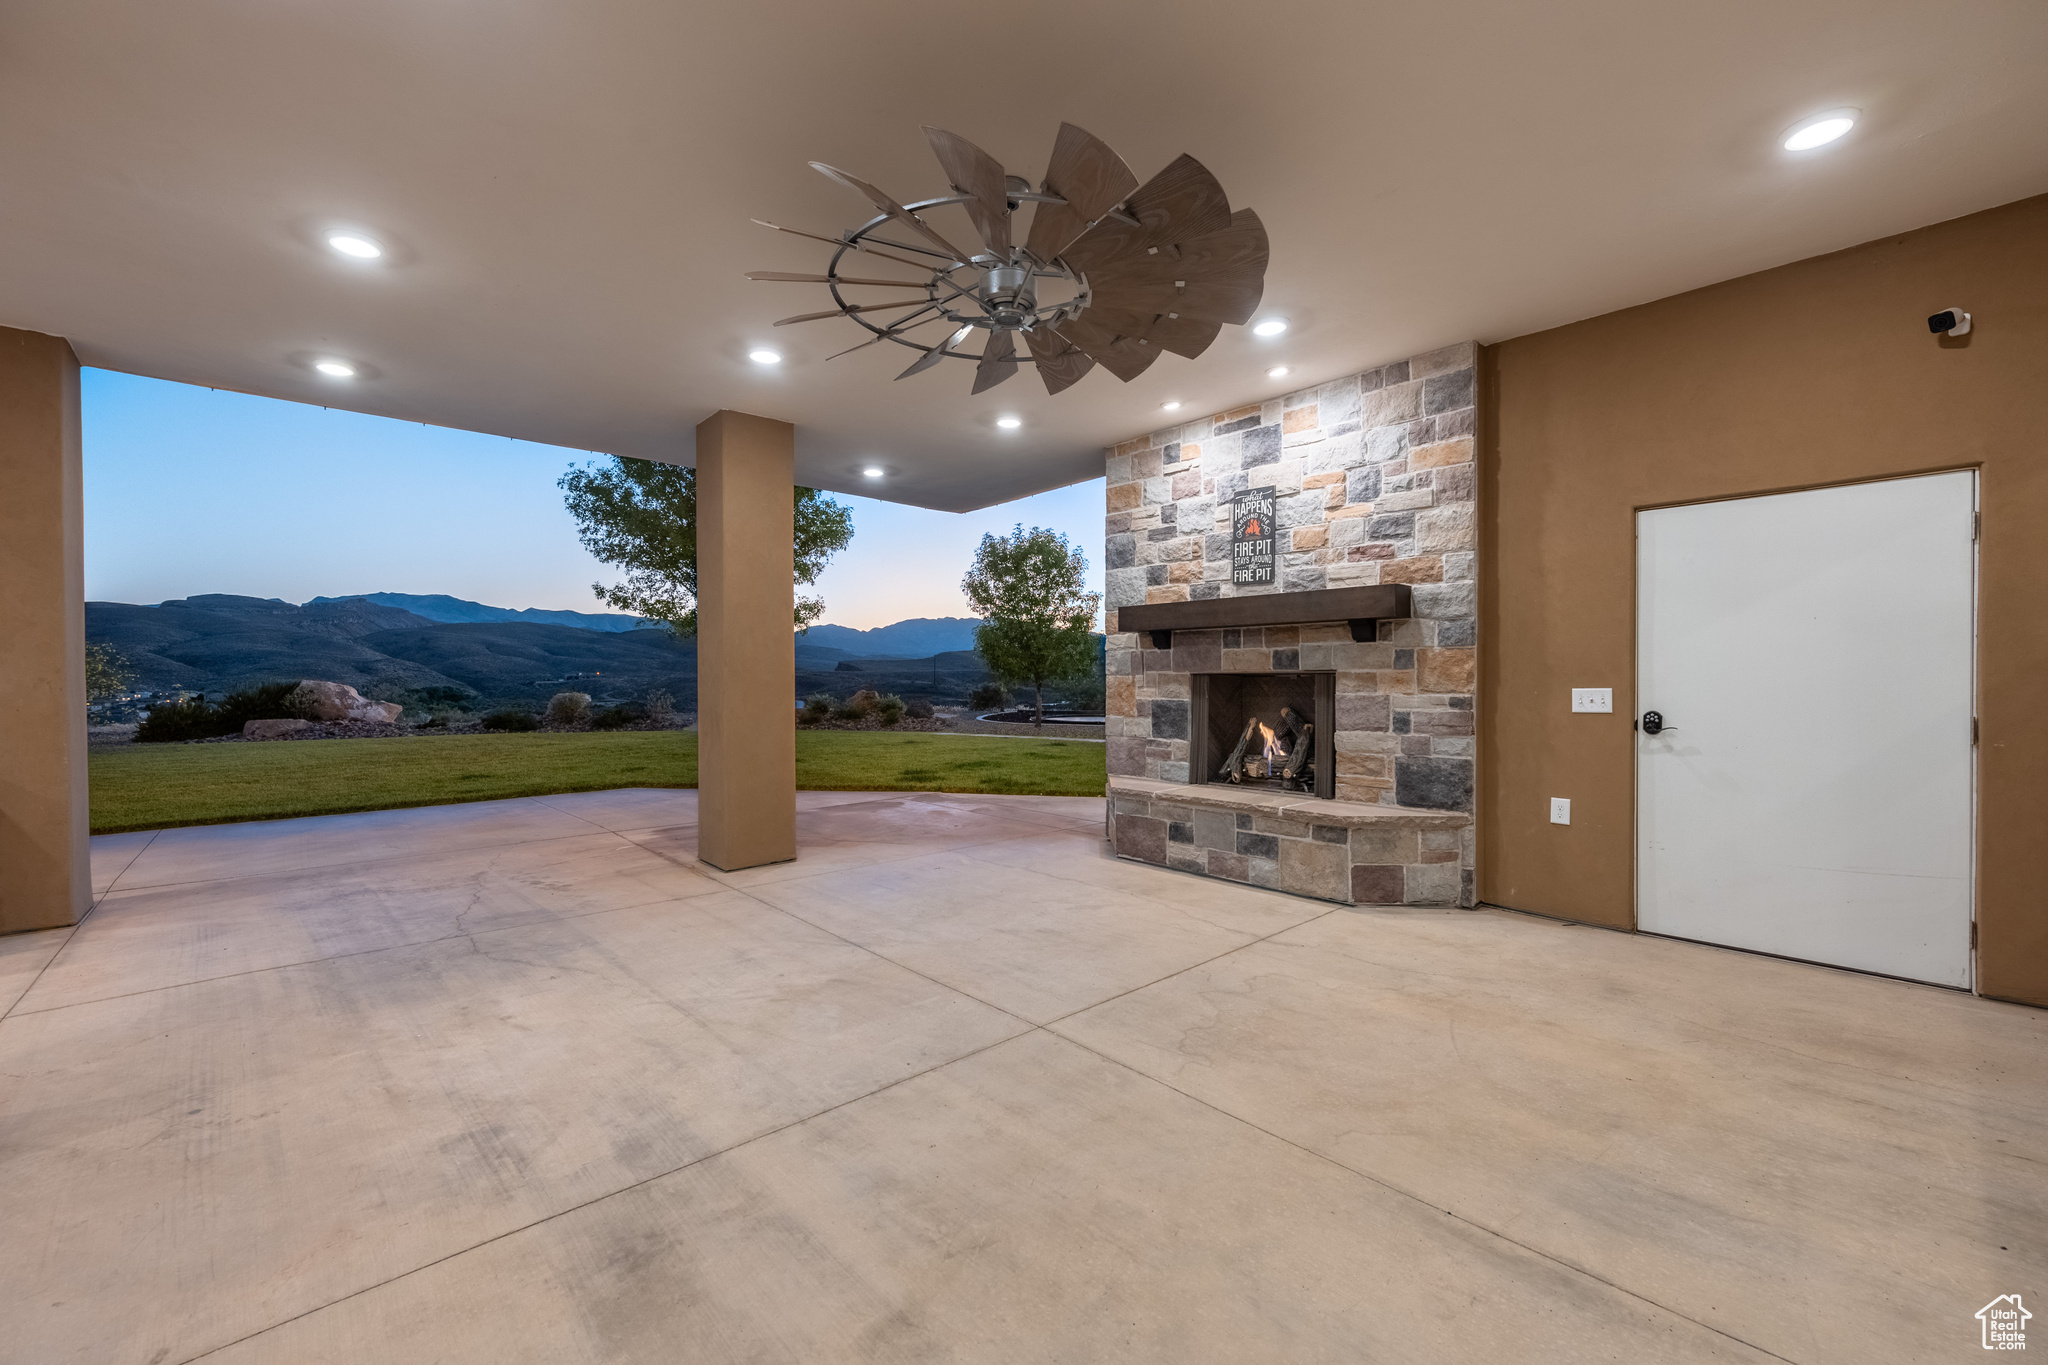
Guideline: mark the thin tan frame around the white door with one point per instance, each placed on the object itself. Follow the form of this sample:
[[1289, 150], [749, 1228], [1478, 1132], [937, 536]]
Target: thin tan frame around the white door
[[1635, 703]]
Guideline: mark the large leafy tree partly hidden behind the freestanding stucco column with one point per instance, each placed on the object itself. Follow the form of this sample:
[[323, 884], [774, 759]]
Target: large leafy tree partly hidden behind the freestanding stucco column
[[642, 517]]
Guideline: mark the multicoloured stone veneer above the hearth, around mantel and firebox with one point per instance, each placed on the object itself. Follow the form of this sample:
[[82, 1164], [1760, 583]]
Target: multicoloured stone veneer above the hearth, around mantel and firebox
[[1375, 484]]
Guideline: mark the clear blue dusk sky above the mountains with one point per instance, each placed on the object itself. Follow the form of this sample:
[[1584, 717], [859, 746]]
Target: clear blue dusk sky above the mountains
[[198, 492]]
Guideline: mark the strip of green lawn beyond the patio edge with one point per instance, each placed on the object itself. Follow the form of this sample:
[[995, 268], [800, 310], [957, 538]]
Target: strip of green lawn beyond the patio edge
[[155, 787]]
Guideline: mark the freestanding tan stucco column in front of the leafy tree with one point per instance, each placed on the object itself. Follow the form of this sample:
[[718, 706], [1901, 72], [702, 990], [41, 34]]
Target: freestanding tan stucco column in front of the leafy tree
[[746, 642]]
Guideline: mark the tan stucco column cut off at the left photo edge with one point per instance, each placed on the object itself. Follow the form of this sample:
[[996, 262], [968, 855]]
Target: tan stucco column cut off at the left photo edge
[[44, 828]]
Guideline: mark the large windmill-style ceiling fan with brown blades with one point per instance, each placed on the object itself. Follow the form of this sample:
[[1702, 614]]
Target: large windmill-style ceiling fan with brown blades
[[1111, 273]]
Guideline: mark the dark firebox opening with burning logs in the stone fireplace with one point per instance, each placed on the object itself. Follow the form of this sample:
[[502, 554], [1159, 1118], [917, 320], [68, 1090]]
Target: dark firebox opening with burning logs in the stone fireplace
[[1265, 732]]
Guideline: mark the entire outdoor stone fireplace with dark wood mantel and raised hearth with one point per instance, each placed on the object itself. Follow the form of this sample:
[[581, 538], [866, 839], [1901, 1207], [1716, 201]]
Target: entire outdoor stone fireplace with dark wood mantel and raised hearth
[[1293, 640]]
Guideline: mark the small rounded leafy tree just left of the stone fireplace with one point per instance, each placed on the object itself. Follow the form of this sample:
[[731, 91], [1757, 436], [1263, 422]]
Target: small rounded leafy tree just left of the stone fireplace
[[1037, 619]]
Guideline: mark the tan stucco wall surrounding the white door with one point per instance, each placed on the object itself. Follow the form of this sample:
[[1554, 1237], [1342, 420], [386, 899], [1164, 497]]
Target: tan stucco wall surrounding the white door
[[1814, 373]]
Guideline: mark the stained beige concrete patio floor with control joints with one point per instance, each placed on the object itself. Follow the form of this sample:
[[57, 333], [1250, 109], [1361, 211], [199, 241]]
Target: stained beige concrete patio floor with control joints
[[523, 1082]]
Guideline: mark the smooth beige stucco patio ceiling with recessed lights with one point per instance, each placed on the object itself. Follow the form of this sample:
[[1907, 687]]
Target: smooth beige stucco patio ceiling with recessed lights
[[568, 189]]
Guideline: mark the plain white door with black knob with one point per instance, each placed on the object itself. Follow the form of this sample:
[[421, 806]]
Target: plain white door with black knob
[[1814, 662]]
